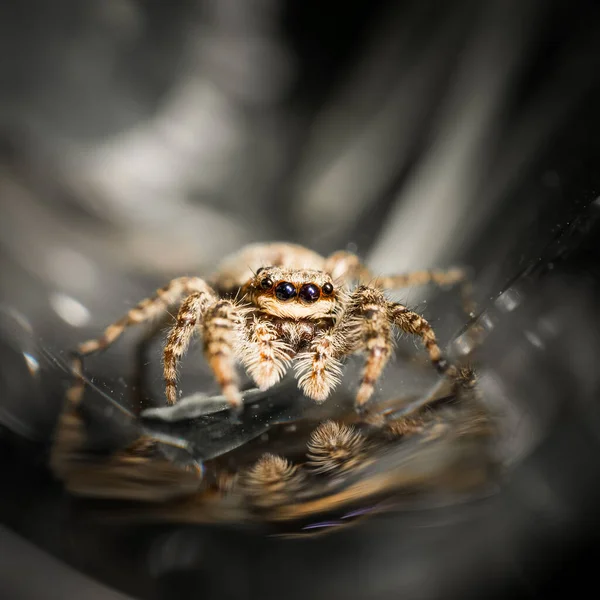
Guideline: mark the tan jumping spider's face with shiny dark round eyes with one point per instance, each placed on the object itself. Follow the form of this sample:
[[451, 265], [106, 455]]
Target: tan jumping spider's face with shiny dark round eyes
[[293, 293]]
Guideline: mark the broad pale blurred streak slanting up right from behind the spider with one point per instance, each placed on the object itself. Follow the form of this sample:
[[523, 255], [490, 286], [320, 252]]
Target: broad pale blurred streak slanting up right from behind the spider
[[431, 217]]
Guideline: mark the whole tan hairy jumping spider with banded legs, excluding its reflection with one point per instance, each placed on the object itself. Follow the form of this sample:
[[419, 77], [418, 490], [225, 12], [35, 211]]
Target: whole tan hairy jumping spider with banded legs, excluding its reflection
[[271, 304]]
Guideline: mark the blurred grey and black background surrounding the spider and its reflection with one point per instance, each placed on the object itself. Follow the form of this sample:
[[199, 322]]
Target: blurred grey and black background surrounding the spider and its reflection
[[142, 140]]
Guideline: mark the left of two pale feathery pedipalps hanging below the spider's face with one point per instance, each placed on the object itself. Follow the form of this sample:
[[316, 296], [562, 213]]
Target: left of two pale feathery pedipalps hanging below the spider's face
[[264, 355]]
